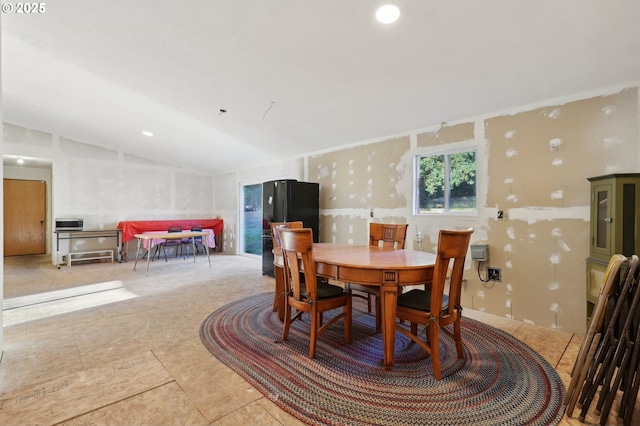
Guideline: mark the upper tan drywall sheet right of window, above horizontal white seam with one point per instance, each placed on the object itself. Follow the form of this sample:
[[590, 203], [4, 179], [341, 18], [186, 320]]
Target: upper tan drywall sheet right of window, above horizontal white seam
[[544, 156]]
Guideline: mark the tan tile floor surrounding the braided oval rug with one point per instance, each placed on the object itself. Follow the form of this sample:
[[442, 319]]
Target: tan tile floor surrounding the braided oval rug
[[101, 343]]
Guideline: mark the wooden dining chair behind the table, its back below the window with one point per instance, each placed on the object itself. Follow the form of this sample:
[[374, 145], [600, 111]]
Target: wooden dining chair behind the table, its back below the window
[[380, 235]]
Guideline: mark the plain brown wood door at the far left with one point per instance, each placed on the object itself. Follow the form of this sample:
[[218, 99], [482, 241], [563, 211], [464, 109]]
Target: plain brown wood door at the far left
[[24, 217]]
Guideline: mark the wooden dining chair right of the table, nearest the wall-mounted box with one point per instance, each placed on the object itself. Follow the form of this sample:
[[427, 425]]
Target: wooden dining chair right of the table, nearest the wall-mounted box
[[435, 307]]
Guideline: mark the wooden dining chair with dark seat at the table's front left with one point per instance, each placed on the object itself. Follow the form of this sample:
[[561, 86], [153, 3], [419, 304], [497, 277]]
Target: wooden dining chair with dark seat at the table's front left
[[309, 296]]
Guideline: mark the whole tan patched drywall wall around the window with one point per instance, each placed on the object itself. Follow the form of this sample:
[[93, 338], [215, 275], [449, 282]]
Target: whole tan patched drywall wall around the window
[[532, 165]]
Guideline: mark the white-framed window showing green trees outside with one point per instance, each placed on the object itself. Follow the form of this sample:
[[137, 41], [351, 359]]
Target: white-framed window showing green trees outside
[[446, 182]]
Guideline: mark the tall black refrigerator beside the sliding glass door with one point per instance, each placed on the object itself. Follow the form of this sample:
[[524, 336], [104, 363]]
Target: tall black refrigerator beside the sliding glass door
[[287, 201]]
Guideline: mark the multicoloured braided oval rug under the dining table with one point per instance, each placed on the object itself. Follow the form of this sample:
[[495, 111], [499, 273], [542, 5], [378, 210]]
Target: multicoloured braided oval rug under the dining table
[[501, 381]]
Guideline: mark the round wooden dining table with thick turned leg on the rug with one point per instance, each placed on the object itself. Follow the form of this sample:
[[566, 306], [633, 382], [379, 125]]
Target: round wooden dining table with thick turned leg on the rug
[[387, 268]]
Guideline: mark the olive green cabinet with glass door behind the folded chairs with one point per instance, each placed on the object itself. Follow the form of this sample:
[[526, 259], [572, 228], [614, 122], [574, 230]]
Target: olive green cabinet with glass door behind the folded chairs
[[615, 229]]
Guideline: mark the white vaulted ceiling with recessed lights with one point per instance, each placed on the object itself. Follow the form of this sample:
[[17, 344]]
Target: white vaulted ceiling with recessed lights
[[296, 76]]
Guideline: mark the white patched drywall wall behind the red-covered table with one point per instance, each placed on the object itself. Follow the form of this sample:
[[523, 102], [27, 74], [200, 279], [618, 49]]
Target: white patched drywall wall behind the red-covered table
[[105, 186]]
